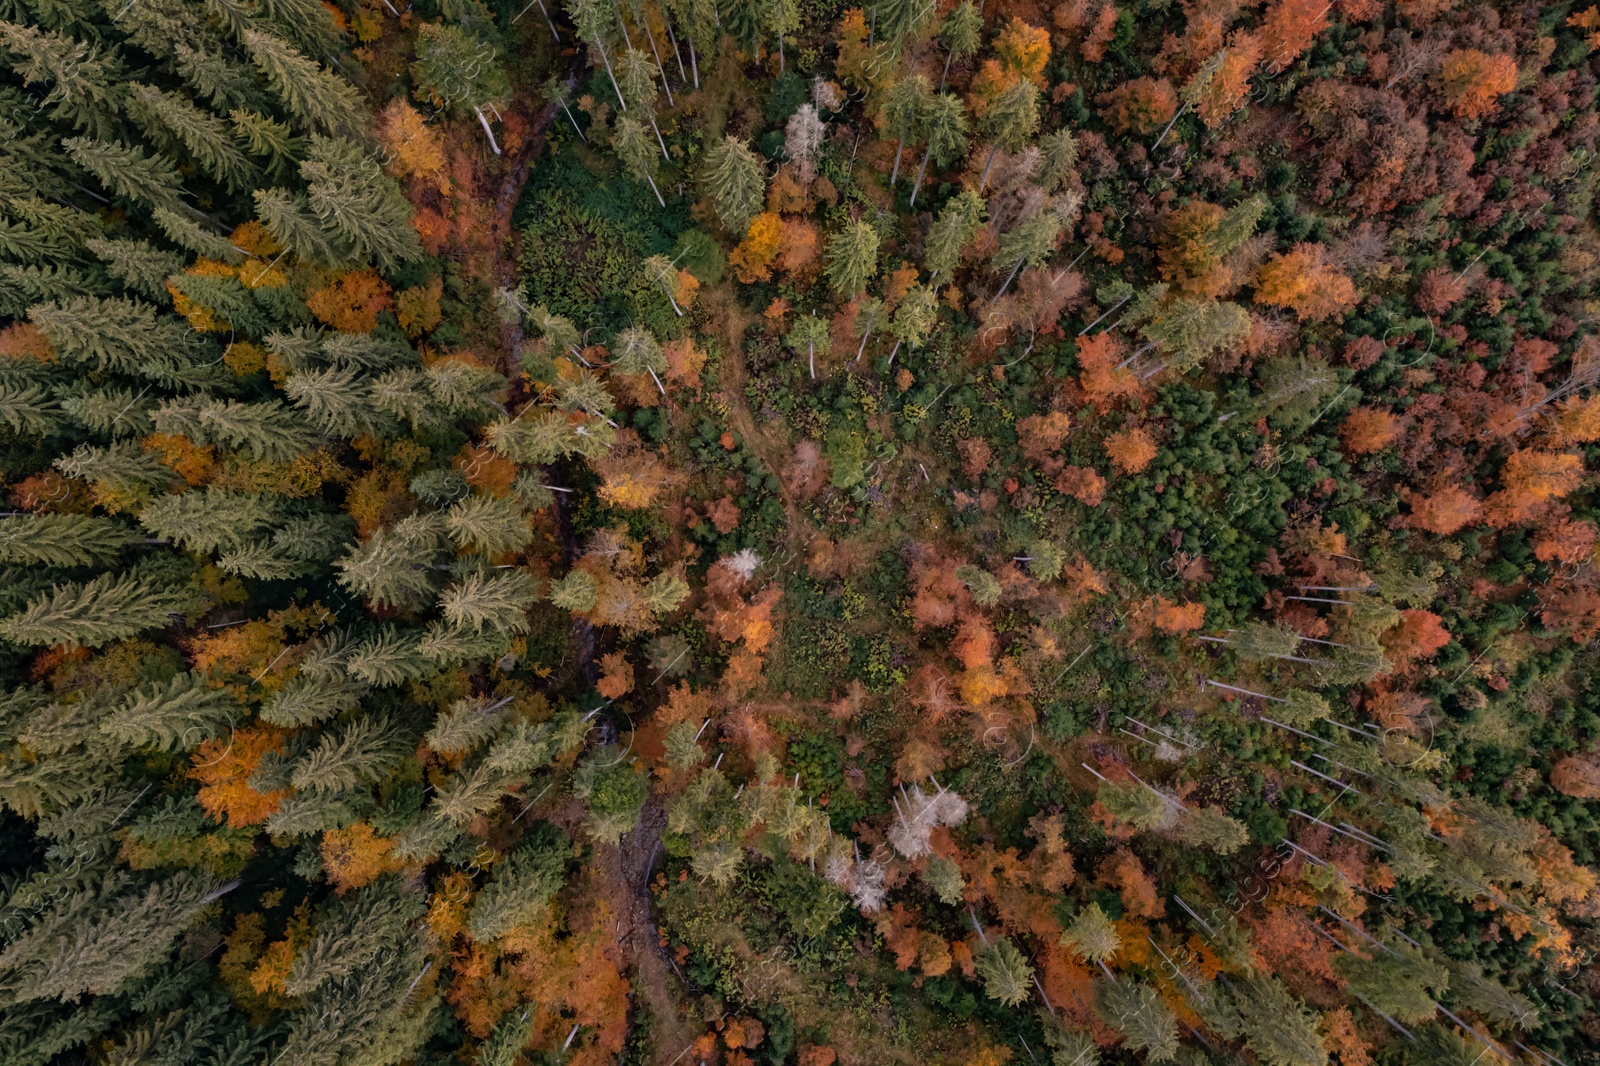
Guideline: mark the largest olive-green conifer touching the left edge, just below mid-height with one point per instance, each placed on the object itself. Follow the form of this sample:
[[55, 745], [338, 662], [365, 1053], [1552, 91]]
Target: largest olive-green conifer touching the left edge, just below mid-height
[[95, 612]]
